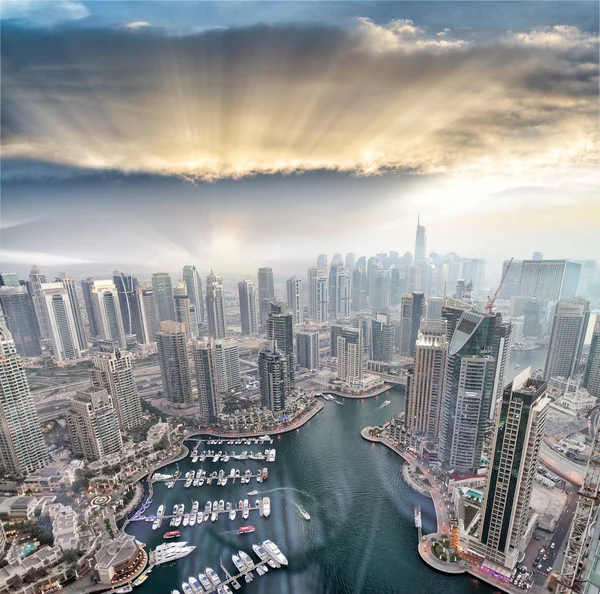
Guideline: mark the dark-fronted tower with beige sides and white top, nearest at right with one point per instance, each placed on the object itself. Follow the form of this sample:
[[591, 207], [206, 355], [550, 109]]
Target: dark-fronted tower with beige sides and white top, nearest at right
[[506, 523]]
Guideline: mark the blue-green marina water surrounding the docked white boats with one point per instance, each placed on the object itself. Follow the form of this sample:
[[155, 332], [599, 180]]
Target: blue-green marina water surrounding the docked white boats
[[361, 537]]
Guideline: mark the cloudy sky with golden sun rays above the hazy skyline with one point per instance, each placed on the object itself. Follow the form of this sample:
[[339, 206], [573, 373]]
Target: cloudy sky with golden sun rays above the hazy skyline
[[147, 135]]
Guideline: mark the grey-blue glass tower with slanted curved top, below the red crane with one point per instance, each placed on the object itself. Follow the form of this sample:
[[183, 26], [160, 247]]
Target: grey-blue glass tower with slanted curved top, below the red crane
[[469, 390]]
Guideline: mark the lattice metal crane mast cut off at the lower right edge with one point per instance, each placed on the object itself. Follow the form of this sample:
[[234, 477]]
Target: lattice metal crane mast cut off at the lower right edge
[[575, 568]]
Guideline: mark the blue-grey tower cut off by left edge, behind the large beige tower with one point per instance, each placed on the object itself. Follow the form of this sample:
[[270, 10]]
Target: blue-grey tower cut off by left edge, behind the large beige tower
[[20, 318]]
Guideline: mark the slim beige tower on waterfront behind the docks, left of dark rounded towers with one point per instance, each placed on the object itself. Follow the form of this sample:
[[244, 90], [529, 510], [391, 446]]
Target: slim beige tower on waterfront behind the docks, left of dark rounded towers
[[207, 379]]
